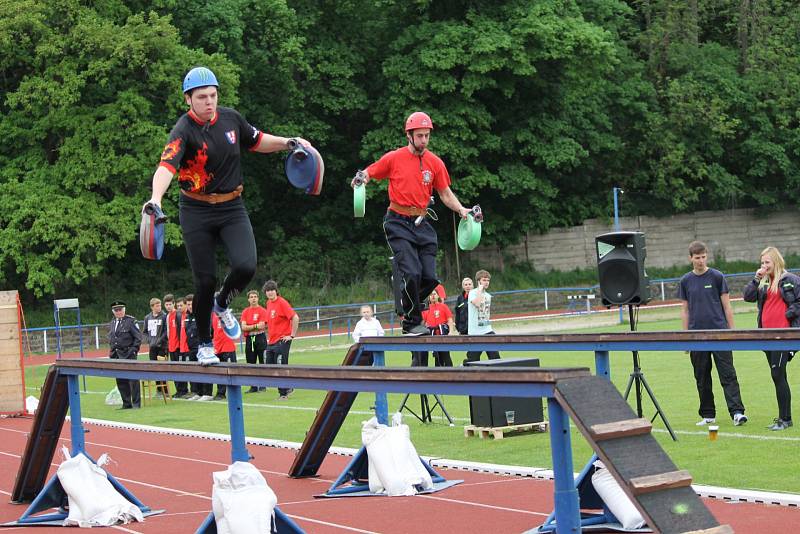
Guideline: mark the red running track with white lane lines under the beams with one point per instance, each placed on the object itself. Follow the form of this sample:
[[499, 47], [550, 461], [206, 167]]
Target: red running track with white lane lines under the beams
[[174, 473]]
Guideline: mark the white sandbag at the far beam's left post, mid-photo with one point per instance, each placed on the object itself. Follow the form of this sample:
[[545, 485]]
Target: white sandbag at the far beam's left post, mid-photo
[[394, 465]]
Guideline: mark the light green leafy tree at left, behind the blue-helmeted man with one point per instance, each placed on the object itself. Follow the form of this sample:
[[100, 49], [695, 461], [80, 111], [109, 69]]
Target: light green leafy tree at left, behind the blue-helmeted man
[[86, 108]]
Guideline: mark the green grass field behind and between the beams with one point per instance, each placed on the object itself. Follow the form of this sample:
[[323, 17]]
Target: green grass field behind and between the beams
[[747, 457]]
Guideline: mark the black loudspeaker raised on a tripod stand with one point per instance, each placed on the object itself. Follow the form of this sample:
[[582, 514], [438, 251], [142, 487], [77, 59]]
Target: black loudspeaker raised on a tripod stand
[[620, 268]]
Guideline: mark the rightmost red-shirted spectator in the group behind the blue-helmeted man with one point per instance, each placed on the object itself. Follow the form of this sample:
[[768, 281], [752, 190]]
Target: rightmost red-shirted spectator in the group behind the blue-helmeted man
[[282, 325]]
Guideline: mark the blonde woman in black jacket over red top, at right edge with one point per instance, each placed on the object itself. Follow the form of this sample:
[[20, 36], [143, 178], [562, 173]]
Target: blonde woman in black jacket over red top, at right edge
[[777, 294]]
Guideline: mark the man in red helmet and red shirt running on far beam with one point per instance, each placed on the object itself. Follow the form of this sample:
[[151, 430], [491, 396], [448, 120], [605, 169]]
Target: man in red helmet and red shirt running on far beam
[[413, 173]]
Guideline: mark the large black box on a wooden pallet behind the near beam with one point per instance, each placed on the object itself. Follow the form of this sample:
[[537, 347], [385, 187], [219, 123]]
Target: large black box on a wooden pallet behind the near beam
[[497, 411]]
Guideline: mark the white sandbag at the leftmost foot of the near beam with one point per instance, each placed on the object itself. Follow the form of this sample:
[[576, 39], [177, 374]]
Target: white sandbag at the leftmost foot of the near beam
[[93, 501]]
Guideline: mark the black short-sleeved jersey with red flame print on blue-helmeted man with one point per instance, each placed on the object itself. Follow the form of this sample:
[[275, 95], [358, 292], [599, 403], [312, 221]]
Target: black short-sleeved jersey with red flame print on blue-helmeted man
[[206, 156]]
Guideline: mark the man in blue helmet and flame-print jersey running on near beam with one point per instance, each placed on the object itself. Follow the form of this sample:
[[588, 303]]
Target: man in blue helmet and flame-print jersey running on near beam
[[204, 150]]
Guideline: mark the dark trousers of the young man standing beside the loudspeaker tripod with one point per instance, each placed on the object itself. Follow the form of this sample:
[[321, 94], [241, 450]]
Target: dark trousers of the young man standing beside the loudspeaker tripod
[[702, 363]]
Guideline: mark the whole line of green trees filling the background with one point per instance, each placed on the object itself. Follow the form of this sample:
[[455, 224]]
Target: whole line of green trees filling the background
[[540, 108]]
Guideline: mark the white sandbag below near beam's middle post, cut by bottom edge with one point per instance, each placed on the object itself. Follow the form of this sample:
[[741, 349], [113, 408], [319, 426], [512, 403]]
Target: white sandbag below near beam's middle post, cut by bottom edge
[[242, 501]]
